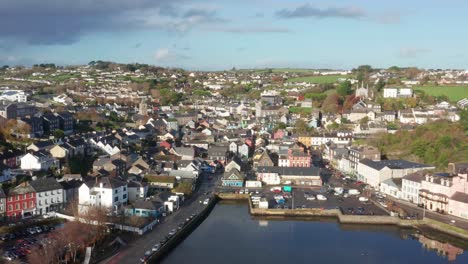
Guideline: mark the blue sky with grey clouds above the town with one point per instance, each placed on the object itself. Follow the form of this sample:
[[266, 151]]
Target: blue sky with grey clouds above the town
[[218, 35]]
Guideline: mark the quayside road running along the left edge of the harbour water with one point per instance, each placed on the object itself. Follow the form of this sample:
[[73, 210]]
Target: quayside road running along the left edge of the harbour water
[[137, 248]]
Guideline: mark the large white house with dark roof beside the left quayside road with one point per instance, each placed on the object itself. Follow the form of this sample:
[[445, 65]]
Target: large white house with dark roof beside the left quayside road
[[105, 192]]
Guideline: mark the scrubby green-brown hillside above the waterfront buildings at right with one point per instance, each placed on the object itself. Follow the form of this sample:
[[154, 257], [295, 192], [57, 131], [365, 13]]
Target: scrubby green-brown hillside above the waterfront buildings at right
[[436, 143]]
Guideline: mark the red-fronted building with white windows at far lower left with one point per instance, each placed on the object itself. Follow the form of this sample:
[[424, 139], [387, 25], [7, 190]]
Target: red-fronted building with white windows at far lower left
[[21, 202]]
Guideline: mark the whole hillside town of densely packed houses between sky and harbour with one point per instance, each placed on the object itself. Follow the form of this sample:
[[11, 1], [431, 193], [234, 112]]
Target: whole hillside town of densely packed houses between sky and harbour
[[110, 162]]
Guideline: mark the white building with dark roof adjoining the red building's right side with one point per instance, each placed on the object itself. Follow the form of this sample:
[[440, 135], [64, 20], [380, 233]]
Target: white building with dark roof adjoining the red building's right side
[[49, 195]]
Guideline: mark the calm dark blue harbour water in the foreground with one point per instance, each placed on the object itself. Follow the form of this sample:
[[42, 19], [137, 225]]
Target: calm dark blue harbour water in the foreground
[[231, 235]]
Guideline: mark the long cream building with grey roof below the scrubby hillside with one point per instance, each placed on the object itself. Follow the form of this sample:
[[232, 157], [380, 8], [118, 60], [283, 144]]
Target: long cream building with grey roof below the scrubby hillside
[[375, 172]]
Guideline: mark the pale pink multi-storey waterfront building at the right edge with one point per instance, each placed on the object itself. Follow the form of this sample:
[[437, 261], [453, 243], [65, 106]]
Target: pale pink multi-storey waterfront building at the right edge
[[446, 193]]
